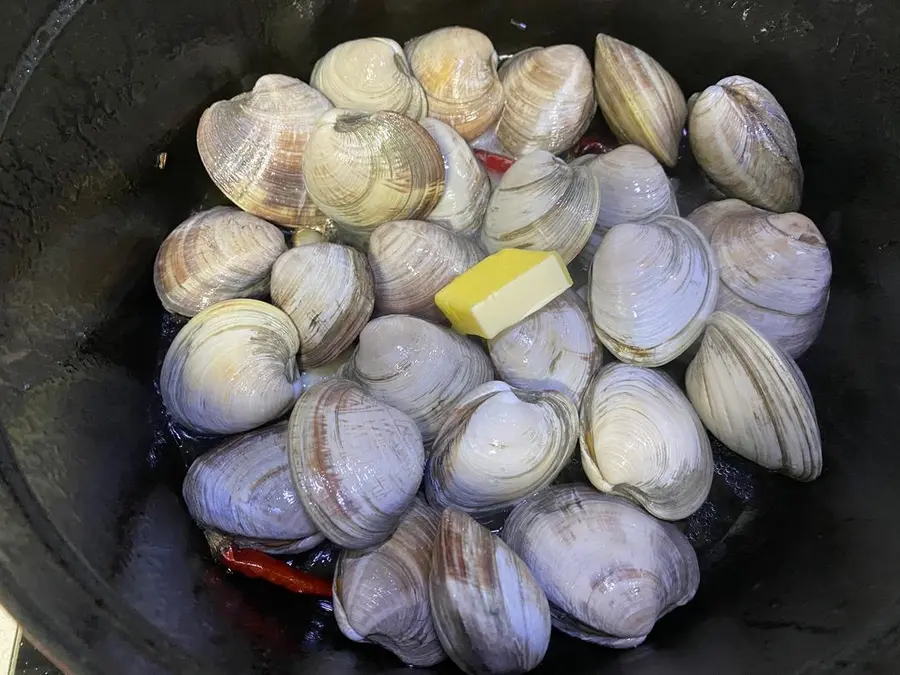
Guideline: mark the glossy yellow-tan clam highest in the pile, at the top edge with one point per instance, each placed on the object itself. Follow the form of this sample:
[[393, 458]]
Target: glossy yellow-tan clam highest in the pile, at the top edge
[[457, 68]]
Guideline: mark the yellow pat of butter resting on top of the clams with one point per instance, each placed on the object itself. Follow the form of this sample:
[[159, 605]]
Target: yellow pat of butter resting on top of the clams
[[502, 289]]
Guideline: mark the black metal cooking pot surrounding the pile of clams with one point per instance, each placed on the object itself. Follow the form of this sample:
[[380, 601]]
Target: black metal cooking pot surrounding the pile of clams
[[97, 556]]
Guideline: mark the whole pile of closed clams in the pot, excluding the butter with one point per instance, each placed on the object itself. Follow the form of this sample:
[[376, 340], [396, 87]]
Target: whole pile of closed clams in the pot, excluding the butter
[[365, 420]]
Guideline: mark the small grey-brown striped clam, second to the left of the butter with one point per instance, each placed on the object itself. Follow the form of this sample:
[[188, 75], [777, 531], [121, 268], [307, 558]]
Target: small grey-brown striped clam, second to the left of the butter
[[327, 291]]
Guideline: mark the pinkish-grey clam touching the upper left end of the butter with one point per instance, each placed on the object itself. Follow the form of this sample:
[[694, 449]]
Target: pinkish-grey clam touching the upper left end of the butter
[[411, 260]]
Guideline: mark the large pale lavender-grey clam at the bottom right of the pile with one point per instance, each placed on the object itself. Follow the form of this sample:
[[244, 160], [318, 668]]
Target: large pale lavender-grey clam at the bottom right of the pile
[[609, 570]]
